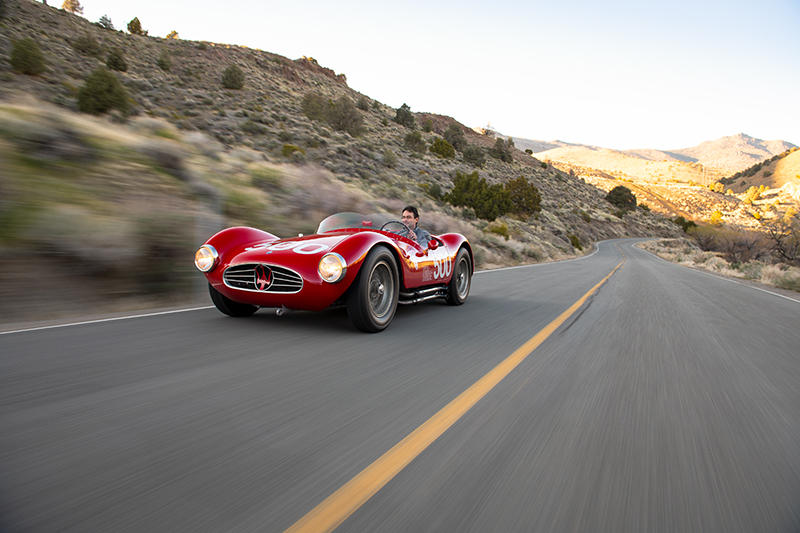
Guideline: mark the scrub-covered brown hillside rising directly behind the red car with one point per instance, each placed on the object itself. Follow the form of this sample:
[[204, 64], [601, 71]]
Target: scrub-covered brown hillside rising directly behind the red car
[[110, 207]]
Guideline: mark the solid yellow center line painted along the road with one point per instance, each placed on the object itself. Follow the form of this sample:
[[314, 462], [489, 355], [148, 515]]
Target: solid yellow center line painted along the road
[[337, 507]]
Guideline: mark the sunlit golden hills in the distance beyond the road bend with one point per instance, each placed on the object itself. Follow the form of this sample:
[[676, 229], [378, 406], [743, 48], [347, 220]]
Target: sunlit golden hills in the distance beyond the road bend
[[694, 183]]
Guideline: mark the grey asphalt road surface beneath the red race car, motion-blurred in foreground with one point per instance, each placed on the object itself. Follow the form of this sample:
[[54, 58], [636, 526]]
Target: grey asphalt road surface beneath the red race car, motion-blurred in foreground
[[669, 402]]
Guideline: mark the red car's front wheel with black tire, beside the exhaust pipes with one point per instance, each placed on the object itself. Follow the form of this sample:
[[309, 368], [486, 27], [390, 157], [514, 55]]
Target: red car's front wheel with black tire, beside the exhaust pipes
[[372, 302]]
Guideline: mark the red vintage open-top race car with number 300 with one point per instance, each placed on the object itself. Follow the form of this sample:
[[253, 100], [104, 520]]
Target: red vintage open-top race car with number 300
[[366, 262]]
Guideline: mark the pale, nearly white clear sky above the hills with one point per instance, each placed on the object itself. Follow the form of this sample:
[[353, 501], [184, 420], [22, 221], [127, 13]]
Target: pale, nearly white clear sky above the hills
[[616, 74]]
